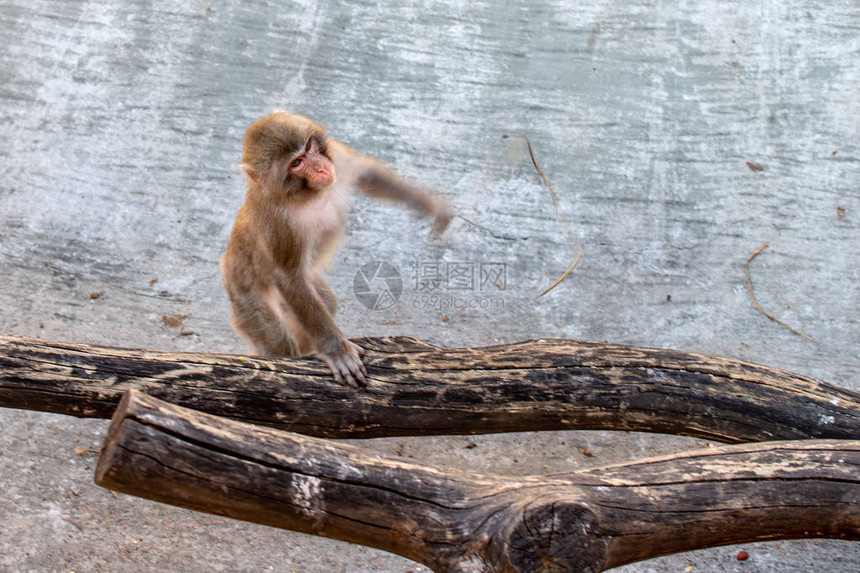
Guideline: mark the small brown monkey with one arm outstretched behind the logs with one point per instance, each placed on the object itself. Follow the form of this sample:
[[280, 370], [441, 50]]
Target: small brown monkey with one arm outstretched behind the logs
[[292, 220]]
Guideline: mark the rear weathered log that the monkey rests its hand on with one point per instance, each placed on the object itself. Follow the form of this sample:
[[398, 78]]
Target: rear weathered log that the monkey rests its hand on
[[419, 389]]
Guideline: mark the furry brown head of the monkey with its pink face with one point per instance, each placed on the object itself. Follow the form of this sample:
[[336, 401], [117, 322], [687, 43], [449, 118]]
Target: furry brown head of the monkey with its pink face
[[288, 154]]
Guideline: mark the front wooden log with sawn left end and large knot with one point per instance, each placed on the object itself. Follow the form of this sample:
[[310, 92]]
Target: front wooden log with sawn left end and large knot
[[457, 521]]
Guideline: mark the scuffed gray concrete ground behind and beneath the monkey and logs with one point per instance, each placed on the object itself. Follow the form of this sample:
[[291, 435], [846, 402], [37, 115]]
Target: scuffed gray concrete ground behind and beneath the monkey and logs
[[120, 132]]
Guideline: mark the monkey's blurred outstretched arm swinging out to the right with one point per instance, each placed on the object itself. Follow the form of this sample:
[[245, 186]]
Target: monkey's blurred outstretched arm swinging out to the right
[[375, 179]]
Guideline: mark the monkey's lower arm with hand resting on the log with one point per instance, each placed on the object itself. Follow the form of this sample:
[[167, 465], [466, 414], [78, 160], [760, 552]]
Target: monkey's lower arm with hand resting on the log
[[328, 342]]
